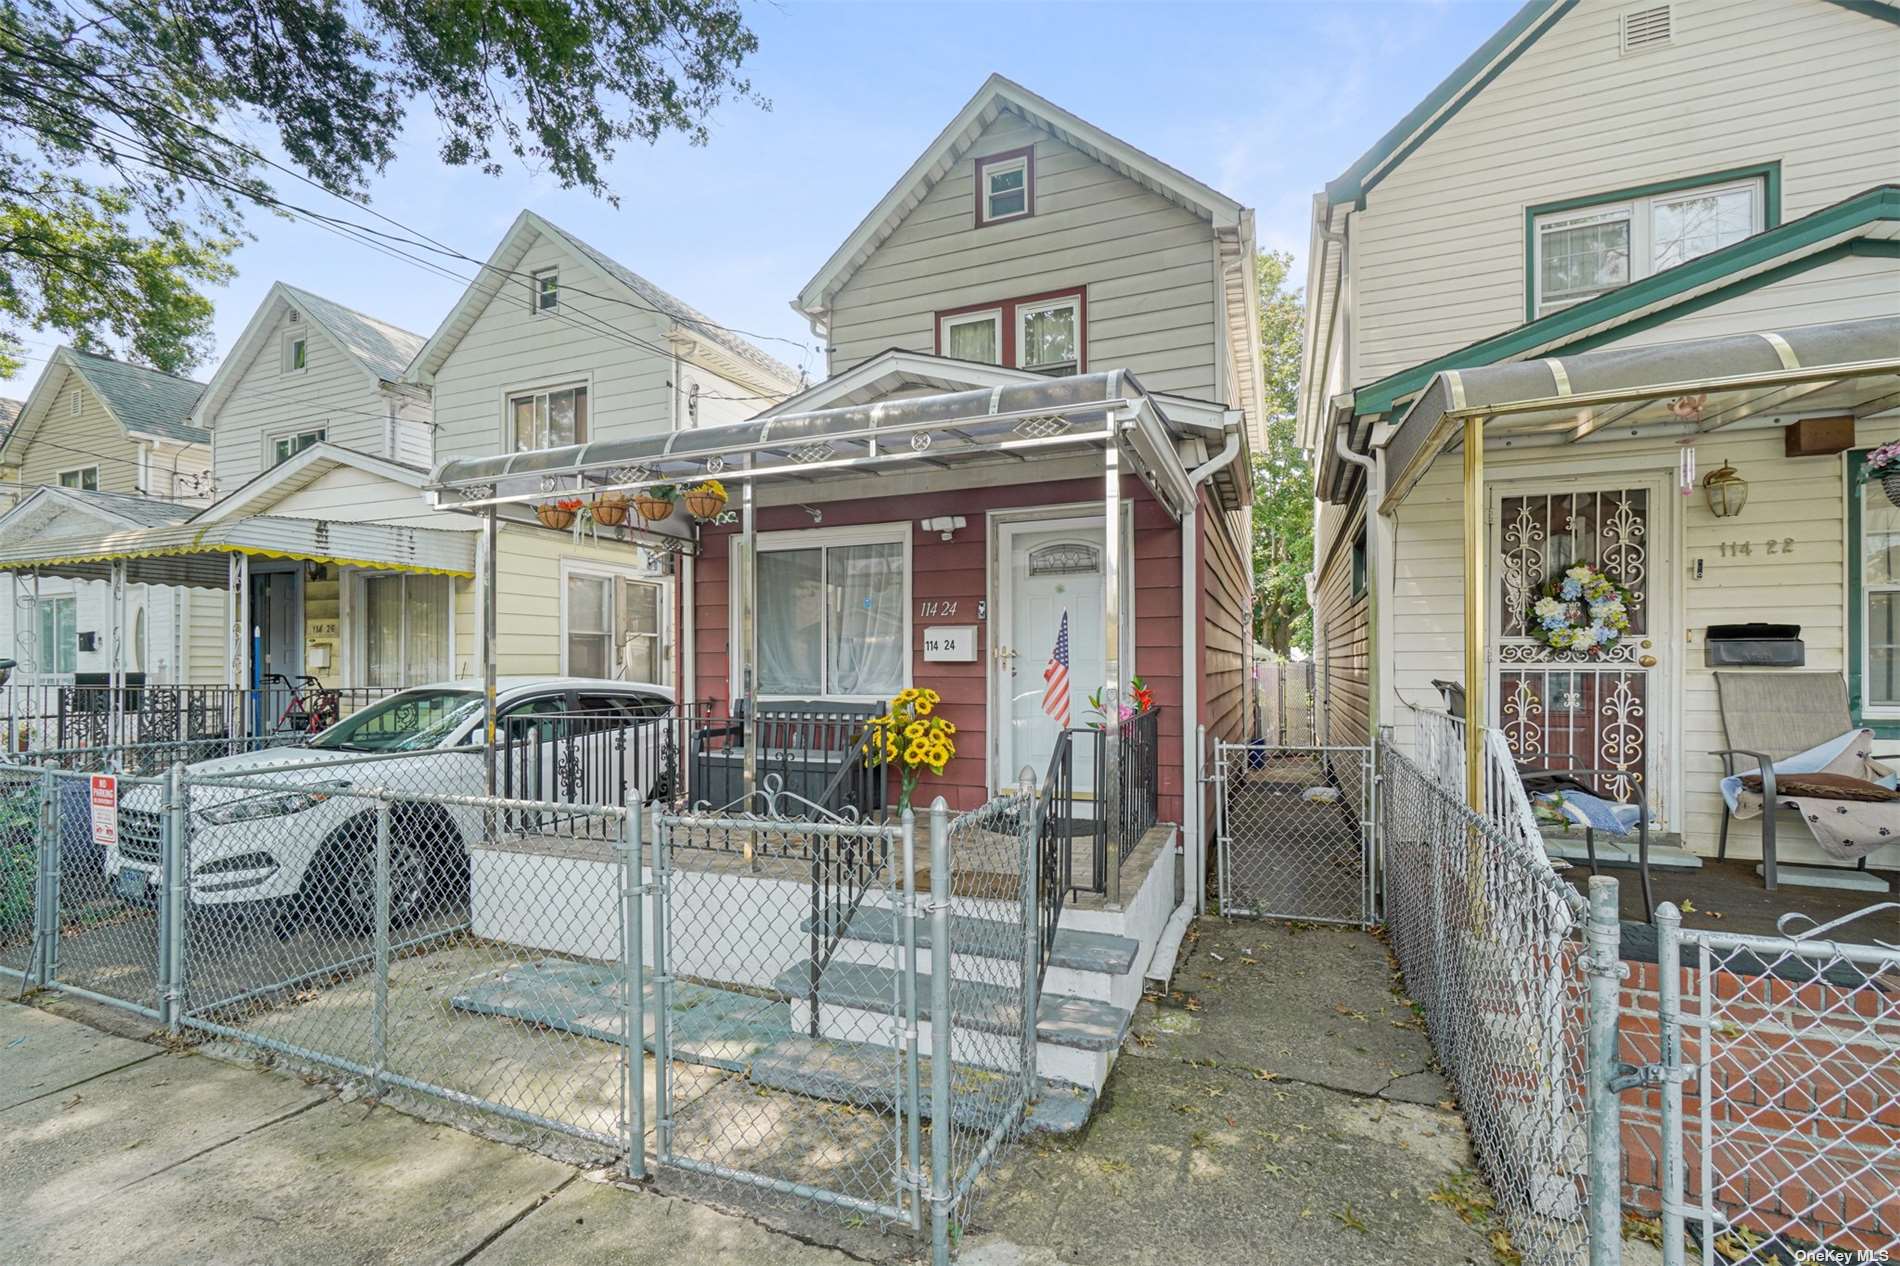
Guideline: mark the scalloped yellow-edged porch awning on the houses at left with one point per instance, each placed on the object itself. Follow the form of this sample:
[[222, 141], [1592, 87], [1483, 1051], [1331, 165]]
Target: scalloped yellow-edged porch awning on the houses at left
[[197, 554]]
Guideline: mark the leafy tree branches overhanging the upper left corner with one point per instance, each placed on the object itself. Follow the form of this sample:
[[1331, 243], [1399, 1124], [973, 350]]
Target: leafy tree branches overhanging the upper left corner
[[124, 185]]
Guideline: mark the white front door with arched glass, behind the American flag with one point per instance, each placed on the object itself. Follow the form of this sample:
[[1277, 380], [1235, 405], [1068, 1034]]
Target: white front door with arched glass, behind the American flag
[[1054, 569]]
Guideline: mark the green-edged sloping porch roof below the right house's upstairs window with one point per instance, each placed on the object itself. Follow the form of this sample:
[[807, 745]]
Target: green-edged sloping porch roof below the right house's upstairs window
[[1869, 223]]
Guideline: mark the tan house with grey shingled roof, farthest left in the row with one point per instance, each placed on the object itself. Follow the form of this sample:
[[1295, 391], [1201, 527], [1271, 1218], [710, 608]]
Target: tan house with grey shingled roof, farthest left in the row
[[98, 448]]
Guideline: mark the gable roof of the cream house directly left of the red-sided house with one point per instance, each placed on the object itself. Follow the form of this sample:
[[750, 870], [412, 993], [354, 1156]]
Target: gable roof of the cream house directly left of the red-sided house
[[736, 353]]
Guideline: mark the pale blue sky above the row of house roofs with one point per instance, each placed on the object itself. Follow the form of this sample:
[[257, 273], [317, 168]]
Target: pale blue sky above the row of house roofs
[[1264, 102]]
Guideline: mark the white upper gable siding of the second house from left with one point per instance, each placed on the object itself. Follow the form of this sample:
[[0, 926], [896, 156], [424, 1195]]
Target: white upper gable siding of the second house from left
[[332, 393]]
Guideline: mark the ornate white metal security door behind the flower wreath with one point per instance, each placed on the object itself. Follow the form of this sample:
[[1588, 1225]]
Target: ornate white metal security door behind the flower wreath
[[1570, 708]]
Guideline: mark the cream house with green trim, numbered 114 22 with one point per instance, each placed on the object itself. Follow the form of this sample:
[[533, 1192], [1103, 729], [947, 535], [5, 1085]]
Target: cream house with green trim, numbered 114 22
[[1605, 206]]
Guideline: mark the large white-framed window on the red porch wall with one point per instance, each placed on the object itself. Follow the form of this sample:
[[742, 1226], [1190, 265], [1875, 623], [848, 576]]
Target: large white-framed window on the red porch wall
[[833, 613]]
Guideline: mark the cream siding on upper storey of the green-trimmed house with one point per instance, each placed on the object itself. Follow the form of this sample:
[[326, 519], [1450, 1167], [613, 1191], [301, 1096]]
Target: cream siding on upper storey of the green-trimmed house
[[1439, 248]]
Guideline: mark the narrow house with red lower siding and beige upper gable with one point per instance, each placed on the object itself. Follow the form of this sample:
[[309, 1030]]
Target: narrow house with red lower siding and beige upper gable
[[1021, 486]]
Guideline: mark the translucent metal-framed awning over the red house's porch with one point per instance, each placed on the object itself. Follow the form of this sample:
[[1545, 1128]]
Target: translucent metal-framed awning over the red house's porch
[[1002, 423]]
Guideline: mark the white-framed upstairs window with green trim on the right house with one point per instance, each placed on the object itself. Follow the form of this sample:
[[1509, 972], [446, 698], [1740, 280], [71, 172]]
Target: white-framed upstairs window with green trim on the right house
[[1586, 252]]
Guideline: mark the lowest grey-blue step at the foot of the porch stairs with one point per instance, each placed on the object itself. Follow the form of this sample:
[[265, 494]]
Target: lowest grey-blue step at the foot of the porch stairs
[[862, 1073]]
